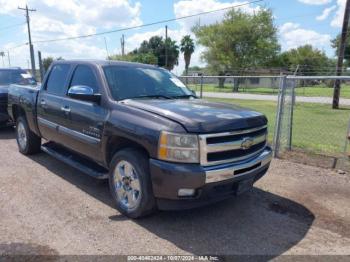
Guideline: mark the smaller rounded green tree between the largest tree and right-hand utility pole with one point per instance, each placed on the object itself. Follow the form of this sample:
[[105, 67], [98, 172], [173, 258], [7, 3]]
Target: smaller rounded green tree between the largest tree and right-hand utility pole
[[309, 60]]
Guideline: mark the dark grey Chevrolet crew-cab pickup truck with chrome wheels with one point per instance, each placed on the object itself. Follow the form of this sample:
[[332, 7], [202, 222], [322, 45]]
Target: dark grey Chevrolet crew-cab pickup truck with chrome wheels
[[140, 127]]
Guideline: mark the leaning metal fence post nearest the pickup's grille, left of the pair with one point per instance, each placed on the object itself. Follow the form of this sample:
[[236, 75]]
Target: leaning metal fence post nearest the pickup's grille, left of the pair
[[279, 115]]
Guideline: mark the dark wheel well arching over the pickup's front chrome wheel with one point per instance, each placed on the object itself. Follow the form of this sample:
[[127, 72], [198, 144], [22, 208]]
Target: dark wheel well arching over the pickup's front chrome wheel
[[118, 143]]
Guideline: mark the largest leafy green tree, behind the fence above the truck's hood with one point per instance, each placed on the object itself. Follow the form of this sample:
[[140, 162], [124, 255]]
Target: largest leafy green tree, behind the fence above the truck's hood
[[239, 42]]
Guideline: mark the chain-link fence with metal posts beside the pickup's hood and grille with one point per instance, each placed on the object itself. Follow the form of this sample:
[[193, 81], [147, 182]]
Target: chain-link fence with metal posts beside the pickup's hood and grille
[[302, 123]]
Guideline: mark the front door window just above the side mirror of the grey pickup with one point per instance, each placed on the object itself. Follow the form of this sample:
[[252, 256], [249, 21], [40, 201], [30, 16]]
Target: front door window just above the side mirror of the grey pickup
[[83, 75]]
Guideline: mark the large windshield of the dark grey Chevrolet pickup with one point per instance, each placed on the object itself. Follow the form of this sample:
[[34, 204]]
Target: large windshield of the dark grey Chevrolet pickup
[[141, 82]]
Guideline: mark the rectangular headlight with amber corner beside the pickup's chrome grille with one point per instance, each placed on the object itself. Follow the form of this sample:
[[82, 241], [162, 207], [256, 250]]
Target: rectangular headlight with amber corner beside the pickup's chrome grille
[[178, 147]]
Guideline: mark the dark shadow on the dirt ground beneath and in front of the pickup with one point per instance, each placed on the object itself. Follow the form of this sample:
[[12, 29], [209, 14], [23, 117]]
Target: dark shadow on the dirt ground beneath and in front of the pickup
[[259, 222]]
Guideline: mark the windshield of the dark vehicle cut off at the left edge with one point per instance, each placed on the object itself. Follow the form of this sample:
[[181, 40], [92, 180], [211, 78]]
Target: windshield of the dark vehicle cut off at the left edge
[[20, 77]]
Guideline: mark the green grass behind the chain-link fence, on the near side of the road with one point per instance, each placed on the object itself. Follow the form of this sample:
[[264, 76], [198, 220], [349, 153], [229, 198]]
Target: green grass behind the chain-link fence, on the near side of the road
[[316, 127]]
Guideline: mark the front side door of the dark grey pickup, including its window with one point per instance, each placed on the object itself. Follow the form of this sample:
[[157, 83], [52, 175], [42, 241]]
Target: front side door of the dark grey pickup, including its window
[[86, 119]]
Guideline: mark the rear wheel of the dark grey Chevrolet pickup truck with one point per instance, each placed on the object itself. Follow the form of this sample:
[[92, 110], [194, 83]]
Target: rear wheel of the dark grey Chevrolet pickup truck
[[28, 142]]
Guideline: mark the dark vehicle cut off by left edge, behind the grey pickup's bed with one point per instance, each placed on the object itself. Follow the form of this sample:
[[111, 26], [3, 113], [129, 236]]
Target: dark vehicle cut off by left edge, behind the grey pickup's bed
[[10, 76]]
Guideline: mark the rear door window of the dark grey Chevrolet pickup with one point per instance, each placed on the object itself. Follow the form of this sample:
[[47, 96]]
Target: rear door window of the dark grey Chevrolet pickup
[[57, 79]]
